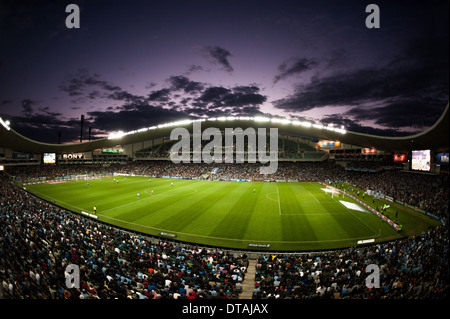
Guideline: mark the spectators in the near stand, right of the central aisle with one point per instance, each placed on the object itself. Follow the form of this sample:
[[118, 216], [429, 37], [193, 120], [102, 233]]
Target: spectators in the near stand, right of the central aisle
[[412, 268]]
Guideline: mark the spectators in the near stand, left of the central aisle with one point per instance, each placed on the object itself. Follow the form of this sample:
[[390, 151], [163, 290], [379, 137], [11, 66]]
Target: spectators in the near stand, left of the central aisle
[[38, 241]]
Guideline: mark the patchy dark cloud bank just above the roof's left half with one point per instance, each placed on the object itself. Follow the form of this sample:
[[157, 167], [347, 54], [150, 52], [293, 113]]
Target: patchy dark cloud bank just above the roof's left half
[[180, 98]]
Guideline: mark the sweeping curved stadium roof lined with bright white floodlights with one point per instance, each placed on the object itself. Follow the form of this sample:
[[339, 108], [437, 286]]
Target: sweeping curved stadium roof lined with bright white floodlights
[[435, 138]]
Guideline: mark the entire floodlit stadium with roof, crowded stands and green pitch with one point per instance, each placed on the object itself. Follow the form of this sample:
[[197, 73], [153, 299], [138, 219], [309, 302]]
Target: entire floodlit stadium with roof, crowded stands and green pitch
[[122, 210]]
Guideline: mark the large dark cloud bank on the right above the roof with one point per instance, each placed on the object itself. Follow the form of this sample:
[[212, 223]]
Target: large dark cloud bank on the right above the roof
[[411, 90]]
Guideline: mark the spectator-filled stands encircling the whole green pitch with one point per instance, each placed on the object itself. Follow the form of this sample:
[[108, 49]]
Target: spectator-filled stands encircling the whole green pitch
[[38, 240]]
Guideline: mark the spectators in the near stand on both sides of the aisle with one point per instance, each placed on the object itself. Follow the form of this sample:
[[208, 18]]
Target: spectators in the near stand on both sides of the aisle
[[38, 241]]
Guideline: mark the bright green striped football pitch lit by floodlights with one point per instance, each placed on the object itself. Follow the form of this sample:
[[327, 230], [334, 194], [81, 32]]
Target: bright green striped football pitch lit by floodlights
[[288, 216]]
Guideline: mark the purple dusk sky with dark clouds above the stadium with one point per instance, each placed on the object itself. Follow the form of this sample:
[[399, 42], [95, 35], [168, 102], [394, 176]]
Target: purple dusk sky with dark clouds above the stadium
[[134, 64]]
